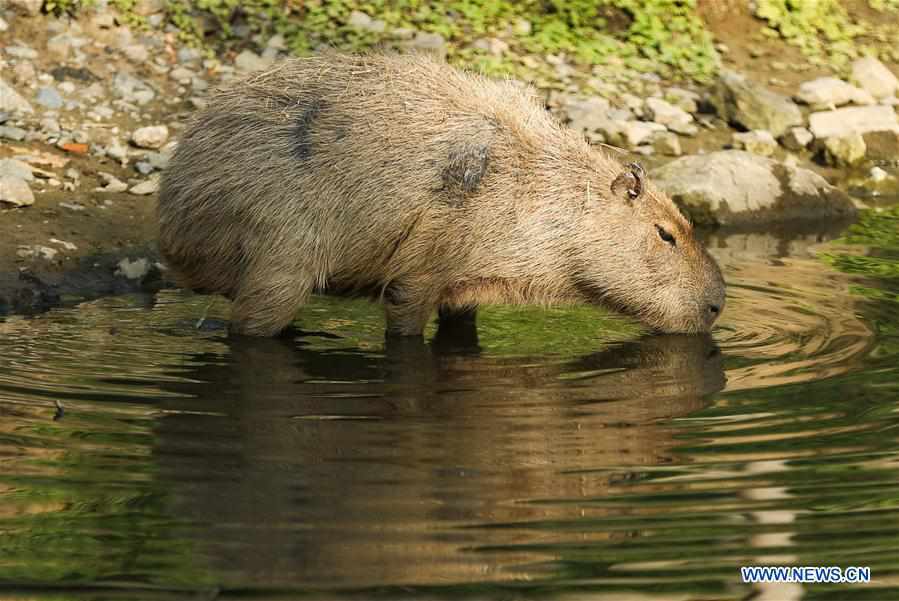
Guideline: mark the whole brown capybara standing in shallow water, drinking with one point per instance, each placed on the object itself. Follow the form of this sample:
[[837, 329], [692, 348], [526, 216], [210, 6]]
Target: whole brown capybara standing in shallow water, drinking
[[401, 178]]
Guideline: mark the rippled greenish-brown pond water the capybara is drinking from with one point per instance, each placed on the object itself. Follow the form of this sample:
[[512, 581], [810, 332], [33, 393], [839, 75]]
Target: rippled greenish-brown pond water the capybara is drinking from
[[560, 454]]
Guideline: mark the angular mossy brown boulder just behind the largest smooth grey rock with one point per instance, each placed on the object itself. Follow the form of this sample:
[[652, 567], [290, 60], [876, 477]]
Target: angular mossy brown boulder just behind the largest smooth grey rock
[[752, 106]]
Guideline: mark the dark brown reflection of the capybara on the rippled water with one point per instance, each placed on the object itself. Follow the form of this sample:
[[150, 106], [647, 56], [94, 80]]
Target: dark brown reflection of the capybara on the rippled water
[[394, 469]]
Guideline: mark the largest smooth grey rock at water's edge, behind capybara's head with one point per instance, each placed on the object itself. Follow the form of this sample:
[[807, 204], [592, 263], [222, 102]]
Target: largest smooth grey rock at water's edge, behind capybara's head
[[735, 187]]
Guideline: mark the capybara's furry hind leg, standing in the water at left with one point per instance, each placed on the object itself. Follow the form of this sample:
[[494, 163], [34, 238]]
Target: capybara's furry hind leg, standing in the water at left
[[265, 305]]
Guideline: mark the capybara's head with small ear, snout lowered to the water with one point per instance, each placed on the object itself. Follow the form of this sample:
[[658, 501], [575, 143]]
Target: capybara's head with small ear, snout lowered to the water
[[644, 258]]
